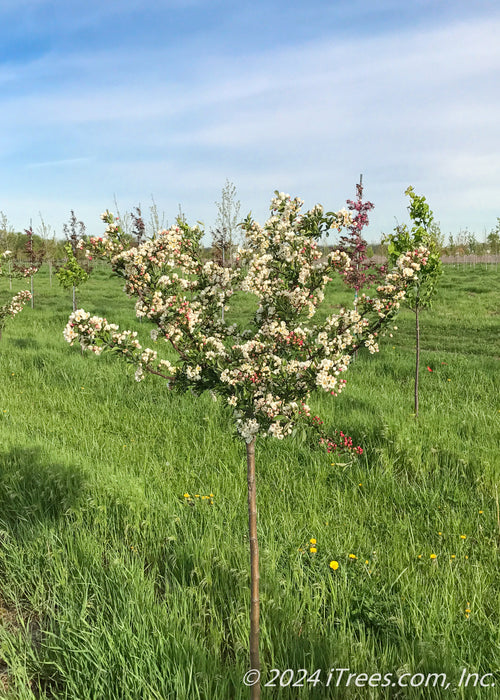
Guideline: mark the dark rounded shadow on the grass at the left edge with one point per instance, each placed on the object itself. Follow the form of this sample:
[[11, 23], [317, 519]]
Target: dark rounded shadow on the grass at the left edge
[[34, 489]]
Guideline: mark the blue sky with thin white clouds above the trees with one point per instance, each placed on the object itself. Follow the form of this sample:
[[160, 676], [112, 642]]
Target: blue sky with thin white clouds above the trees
[[104, 100]]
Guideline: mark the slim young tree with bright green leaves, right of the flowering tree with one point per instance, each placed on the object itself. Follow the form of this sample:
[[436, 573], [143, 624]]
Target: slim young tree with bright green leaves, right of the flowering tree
[[423, 235]]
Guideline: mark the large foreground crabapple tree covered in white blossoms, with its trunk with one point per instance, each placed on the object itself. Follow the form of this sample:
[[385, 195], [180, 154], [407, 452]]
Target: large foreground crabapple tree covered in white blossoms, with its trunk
[[266, 370]]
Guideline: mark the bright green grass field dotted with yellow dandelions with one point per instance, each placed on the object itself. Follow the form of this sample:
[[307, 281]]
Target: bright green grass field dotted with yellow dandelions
[[114, 586]]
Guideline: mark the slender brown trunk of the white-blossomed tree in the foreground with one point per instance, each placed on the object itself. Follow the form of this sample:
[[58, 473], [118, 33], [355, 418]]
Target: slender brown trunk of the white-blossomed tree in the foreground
[[254, 567]]
